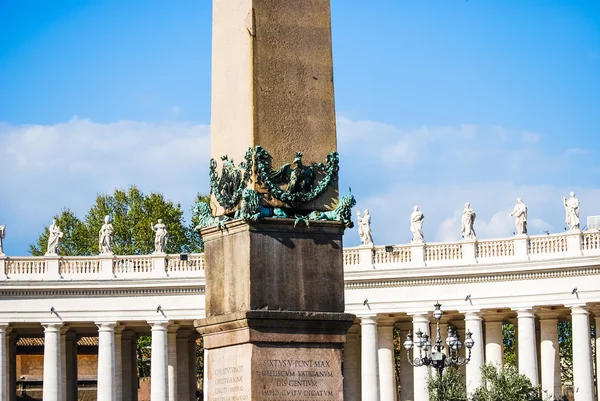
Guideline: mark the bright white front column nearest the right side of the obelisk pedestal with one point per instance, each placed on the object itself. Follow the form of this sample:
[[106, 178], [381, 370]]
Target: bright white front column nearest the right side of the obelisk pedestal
[[368, 358]]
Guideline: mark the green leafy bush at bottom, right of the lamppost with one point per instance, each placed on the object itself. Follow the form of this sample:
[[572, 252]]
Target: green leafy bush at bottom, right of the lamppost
[[505, 384]]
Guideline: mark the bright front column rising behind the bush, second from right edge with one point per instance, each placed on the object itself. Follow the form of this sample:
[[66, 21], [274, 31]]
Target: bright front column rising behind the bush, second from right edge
[[526, 344]]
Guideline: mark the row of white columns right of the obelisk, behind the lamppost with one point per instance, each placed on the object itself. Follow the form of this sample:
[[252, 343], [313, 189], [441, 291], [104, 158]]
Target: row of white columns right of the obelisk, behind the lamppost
[[369, 354]]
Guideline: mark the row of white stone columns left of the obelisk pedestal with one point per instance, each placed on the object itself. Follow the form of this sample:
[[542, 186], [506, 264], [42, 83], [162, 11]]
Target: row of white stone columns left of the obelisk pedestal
[[173, 362]]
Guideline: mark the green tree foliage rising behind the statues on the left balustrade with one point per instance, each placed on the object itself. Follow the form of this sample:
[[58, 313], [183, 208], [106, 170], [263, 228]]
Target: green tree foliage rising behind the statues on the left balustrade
[[132, 213]]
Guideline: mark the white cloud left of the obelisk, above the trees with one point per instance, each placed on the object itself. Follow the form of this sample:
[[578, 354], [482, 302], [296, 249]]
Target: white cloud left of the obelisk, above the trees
[[49, 167]]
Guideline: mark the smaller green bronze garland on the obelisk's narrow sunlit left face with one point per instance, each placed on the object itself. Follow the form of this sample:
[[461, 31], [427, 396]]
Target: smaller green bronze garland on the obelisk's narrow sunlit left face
[[228, 188]]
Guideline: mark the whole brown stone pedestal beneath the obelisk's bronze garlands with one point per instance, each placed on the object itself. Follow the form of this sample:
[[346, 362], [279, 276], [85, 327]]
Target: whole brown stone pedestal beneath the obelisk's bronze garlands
[[274, 304]]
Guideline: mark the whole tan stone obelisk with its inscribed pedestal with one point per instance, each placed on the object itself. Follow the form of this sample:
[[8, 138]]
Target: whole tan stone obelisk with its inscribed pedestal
[[275, 321]]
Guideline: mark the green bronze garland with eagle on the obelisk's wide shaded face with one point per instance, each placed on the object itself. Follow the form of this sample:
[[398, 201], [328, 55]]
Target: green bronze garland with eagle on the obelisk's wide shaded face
[[298, 180]]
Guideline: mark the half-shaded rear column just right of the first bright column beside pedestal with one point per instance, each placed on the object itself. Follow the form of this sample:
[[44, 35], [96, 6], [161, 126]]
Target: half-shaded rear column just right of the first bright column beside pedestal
[[385, 357]]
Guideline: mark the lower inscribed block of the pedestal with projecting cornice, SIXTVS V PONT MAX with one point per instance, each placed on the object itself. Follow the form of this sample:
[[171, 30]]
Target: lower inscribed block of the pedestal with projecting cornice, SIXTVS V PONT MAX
[[274, 355]]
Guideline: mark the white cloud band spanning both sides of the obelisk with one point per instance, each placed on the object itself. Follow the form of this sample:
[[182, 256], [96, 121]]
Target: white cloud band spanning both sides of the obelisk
[[390, 169]]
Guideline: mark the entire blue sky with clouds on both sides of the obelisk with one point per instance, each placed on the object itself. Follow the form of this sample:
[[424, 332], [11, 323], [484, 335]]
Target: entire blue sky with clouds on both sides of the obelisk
[[438, 103]]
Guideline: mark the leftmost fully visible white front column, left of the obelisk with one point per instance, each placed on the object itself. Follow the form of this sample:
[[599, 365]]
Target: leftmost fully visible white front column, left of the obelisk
[[52, 366]]
